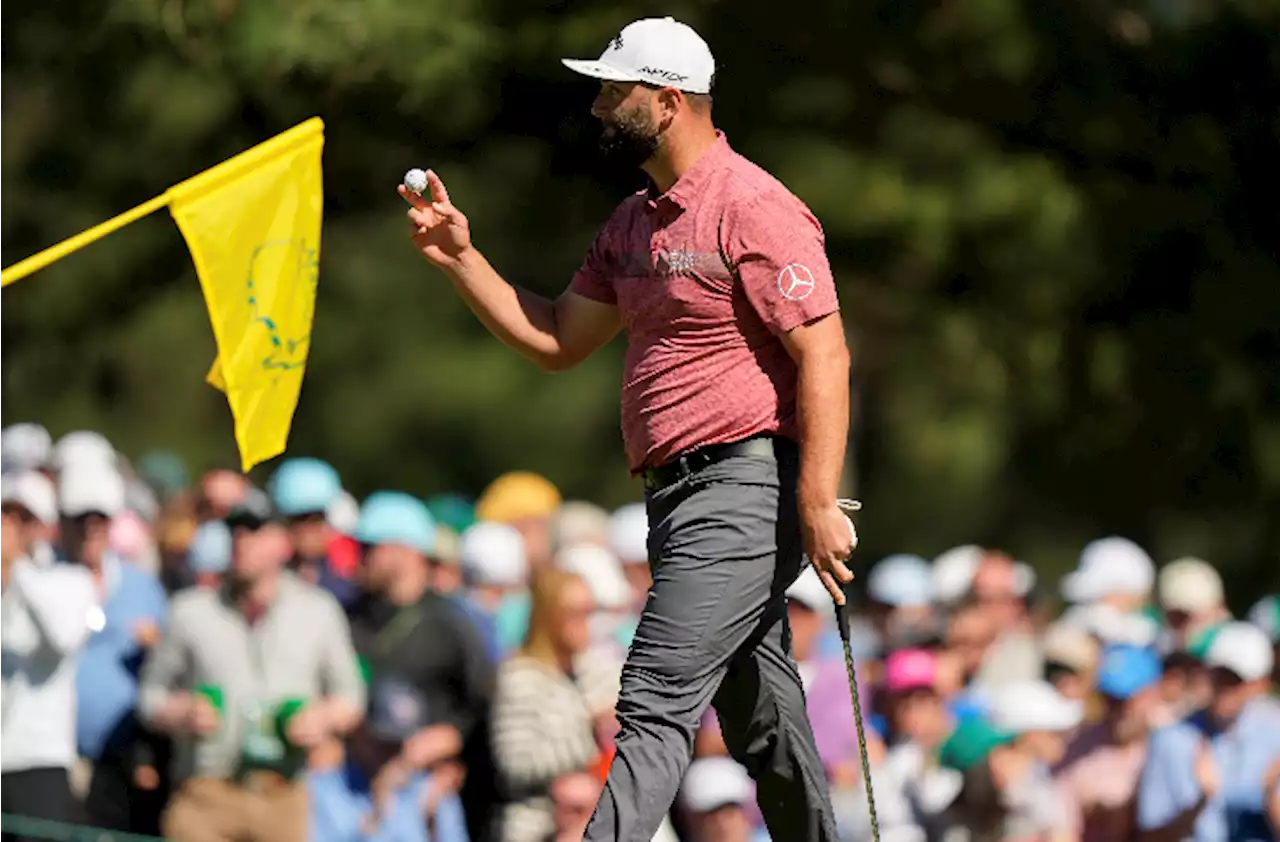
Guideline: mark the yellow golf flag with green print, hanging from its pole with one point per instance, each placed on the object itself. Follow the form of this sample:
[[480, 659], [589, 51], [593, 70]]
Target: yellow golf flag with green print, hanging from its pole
[[253, 226]]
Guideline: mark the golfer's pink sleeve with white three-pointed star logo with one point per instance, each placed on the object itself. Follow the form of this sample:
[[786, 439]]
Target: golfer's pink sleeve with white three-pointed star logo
[[778, 251]]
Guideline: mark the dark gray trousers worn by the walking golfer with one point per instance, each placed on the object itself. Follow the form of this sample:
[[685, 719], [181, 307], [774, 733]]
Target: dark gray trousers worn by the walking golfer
[[724, 546]]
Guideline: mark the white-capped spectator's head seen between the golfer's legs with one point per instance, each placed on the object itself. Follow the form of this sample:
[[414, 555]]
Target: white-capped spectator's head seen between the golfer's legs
[[714, 797]]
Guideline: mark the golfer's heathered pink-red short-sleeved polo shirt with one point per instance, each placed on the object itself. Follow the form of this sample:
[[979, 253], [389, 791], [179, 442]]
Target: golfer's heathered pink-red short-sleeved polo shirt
[[707, 277]]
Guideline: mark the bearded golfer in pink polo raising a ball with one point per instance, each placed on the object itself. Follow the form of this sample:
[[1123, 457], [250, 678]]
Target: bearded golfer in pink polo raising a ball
[[735, 413]]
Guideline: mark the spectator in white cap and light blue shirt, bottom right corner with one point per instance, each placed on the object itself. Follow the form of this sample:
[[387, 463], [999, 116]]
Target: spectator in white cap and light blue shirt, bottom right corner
[[1205, 776]]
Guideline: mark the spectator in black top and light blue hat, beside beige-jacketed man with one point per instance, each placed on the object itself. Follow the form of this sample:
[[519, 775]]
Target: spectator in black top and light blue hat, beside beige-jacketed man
[[429, 675]]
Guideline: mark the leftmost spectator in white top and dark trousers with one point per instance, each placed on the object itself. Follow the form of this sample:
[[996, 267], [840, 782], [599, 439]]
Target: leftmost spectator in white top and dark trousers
[[47, 612]]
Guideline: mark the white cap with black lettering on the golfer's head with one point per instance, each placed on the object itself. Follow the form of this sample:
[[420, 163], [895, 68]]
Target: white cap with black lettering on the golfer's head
[[659, 52]]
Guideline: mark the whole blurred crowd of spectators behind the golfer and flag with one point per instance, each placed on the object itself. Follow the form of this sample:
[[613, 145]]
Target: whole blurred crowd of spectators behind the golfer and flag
[[208, 661]]
